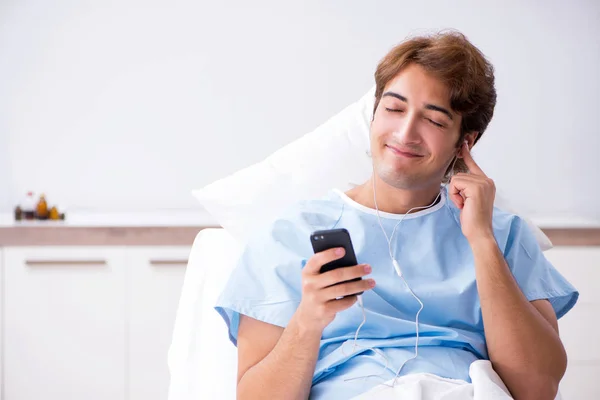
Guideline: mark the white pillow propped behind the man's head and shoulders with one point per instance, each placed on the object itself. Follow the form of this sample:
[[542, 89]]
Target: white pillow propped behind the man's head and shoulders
[[335, 155]]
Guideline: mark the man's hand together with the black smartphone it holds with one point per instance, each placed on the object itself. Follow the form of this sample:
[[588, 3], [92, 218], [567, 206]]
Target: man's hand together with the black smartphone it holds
[[331, 279]]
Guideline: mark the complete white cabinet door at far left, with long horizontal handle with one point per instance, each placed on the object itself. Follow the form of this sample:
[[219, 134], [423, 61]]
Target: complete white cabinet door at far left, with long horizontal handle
[[64, 323]]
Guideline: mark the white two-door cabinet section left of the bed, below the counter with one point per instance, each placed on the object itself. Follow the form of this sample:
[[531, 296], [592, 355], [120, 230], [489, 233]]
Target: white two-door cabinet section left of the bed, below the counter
[[89, 322]]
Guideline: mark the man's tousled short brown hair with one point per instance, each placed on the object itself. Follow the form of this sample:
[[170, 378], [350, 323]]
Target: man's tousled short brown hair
[[450, 57]]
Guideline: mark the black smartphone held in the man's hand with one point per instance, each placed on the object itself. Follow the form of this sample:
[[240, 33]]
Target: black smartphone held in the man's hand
[[328, 239]]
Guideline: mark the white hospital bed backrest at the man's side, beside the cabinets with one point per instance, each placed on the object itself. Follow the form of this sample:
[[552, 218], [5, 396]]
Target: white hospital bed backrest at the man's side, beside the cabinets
[[202, 361]]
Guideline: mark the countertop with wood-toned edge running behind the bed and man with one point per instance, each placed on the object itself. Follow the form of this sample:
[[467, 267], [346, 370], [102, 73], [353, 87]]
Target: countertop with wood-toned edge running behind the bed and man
[[174, 228]]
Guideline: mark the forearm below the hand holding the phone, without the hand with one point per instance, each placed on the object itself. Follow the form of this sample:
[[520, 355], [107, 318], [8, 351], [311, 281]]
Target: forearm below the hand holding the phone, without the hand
[[287, 371]]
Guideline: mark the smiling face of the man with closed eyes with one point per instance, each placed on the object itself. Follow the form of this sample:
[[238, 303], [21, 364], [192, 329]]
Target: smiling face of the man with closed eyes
[[414, 132]]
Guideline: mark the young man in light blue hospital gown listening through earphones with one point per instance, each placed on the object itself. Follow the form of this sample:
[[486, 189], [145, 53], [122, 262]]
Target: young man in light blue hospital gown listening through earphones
[[487, 291]]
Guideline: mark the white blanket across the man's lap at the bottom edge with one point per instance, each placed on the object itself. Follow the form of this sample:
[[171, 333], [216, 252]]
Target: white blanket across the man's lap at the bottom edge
[[486, 385]]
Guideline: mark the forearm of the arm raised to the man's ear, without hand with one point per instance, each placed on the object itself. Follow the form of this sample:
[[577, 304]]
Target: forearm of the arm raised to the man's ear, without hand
[[524, 348]]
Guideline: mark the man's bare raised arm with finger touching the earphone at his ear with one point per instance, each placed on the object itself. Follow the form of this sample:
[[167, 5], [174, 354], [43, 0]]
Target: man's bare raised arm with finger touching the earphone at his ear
[[522, 338]]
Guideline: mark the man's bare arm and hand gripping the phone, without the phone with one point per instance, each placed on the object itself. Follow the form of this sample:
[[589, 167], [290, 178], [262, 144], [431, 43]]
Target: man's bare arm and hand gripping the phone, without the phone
[[276, 363]]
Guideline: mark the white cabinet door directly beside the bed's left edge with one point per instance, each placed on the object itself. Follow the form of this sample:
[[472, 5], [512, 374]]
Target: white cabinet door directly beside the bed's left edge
[[154, 287]]
